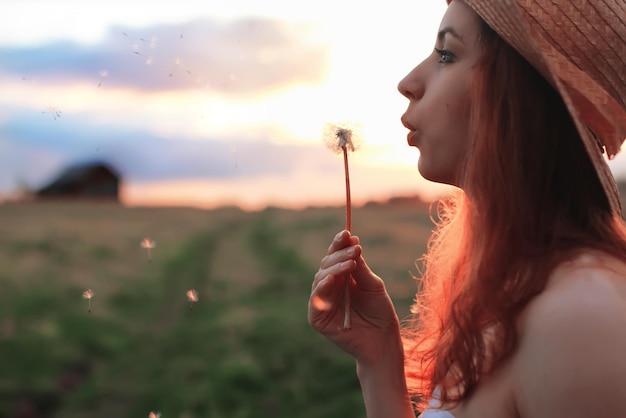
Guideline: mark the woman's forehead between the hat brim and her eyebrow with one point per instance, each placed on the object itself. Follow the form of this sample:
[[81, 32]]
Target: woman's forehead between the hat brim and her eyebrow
[[461, 22]]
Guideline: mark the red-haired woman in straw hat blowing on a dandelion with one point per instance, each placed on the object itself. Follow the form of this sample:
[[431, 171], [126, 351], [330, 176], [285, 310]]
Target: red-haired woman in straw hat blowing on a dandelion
[[522, 304]]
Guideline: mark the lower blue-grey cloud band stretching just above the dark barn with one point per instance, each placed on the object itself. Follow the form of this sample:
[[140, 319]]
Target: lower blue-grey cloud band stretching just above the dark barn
[[27, 141]]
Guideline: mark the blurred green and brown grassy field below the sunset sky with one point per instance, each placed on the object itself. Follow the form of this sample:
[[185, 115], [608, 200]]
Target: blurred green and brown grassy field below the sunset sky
[[244, 350]]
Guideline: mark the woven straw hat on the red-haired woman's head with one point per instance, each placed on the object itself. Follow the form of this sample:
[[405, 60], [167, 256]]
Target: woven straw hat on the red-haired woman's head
[[579, 46]]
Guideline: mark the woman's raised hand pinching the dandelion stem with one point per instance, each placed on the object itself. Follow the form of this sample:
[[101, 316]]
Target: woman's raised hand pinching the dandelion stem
[[375, 325]]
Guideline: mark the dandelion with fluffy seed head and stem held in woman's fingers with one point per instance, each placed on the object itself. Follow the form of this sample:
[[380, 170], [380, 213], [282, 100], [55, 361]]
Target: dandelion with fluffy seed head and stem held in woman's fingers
[[341, 138]]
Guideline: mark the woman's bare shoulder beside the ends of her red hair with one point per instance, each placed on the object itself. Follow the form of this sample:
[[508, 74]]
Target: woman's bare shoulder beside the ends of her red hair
[[572, 355]]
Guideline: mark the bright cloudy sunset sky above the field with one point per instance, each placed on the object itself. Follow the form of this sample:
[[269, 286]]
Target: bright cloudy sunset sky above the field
[[221, 102]]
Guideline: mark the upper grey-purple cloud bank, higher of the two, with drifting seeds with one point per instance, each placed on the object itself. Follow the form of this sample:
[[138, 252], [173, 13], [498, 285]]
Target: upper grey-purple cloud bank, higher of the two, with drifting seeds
[[236, 57]]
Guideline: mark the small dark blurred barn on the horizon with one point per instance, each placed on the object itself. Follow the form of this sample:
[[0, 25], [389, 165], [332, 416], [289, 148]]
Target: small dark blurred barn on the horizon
[[84, 181]]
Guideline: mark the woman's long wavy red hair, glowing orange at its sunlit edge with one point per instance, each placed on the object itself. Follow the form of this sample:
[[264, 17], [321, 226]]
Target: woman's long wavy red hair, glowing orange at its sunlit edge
[[530, 199]]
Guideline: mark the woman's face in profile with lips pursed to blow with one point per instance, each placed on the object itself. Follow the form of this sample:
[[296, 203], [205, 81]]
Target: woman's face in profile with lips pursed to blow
[[438, 90]]
